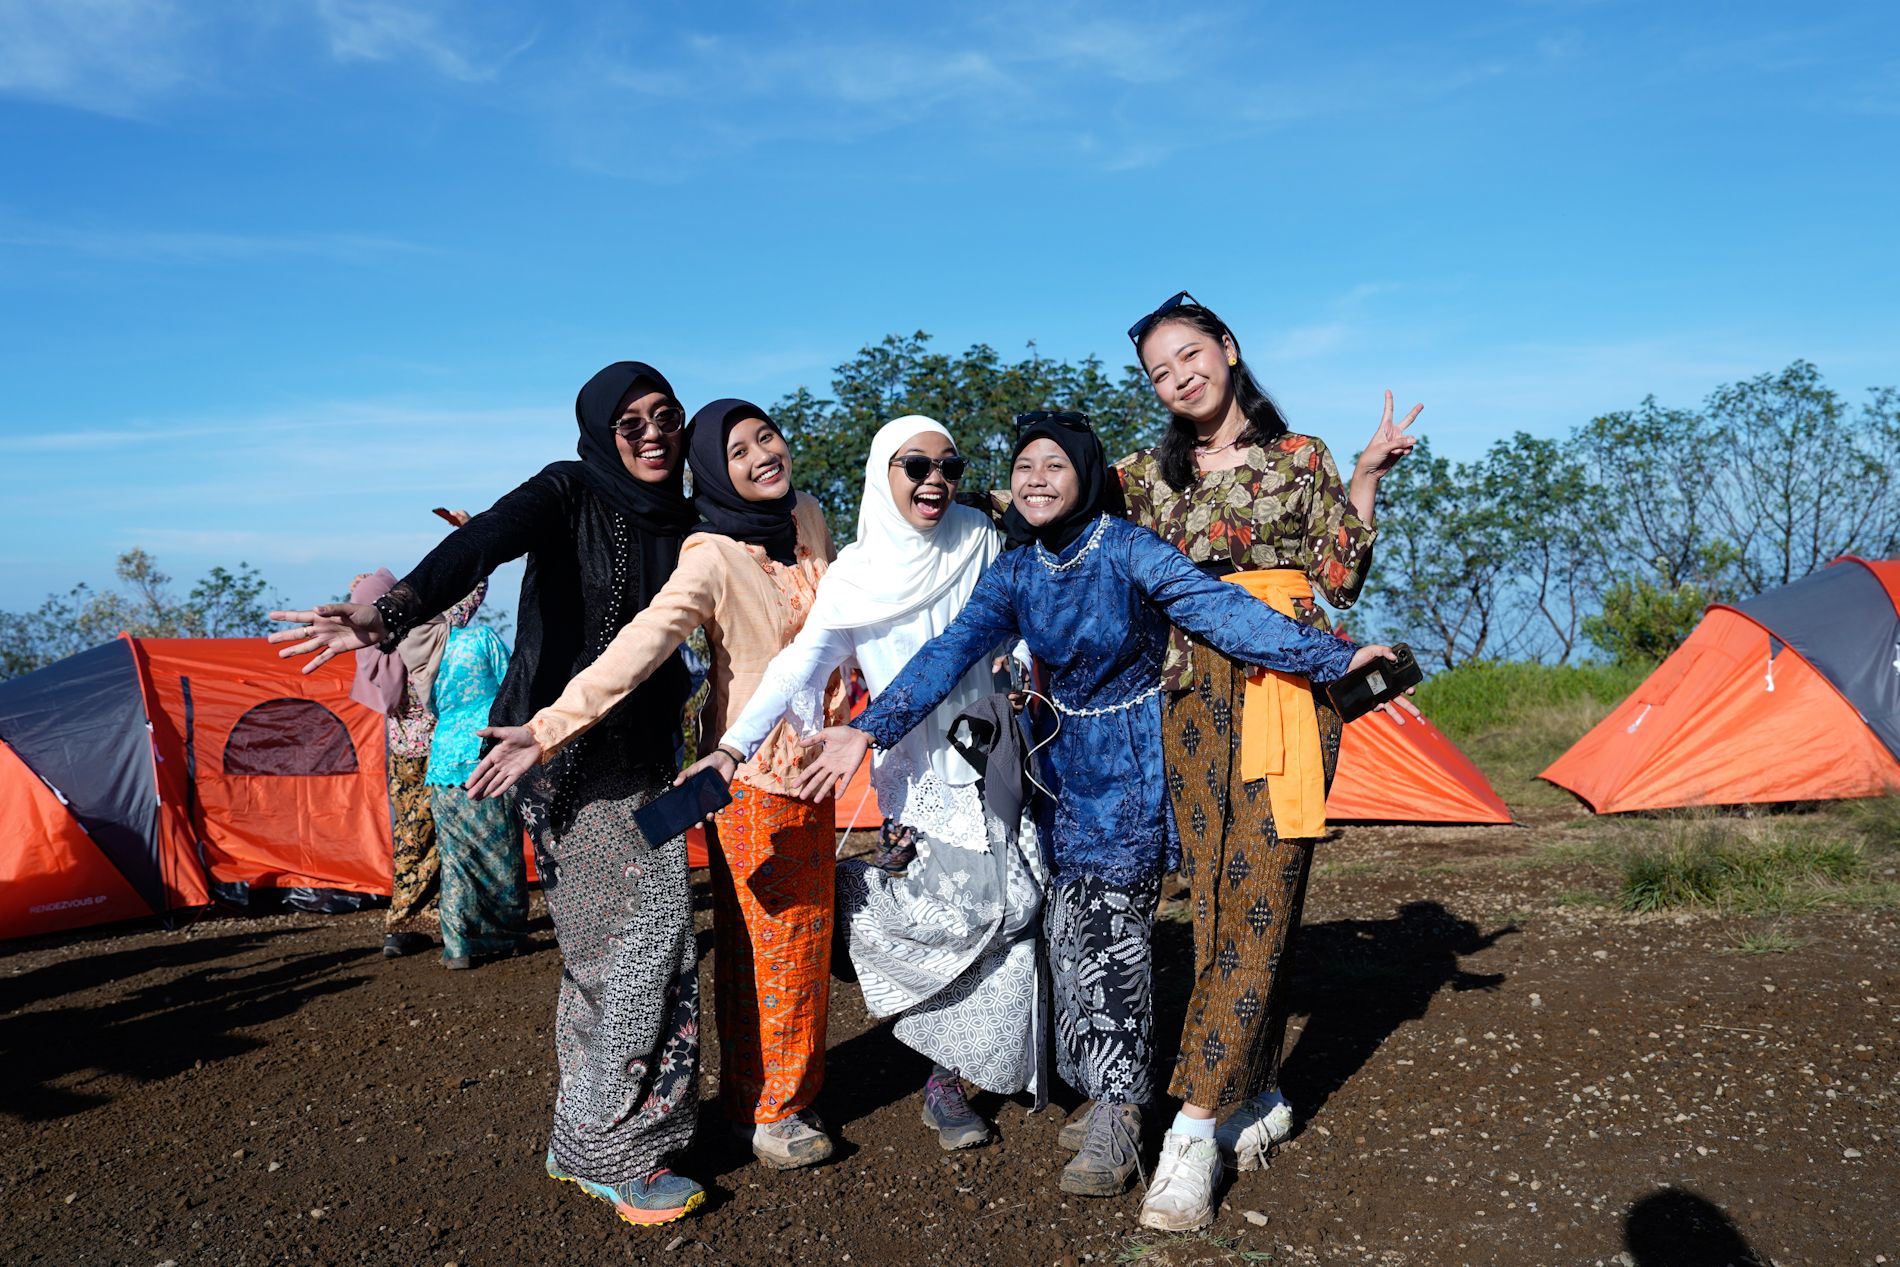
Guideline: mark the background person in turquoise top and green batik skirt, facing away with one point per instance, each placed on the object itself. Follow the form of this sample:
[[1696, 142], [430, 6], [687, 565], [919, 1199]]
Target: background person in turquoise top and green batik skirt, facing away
[[485, 882]]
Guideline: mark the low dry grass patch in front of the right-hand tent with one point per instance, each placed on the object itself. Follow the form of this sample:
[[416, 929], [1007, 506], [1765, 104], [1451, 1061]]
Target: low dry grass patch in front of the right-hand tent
[[1777, 863]]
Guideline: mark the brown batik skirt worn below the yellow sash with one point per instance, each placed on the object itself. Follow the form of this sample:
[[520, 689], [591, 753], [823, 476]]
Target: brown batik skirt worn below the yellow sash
[[1247, 884]]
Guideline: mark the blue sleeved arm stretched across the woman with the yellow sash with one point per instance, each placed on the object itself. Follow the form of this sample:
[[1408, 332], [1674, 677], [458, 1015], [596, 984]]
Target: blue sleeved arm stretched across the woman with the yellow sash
[[1230, 620]]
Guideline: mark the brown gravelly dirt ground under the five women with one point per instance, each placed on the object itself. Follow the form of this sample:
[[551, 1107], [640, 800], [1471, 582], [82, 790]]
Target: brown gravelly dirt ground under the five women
[[1489, 1074]]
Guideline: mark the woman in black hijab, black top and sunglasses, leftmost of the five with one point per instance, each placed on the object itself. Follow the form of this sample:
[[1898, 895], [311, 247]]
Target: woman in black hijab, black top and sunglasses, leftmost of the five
[[601, 537]]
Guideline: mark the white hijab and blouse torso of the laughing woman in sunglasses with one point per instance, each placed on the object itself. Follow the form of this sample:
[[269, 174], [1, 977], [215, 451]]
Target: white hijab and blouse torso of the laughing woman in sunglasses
[[898, 588]]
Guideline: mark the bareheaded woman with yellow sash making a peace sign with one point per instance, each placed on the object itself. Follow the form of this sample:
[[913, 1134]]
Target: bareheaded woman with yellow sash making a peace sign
[[1263, 508]]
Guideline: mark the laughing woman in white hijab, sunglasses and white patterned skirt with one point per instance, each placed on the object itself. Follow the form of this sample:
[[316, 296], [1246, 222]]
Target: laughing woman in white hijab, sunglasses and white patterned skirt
[[951, 945]]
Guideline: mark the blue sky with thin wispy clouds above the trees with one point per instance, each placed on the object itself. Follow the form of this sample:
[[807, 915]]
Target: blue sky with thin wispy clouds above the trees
[[278, 278]]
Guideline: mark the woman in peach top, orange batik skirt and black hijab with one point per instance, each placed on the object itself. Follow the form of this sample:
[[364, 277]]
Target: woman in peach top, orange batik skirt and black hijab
[[748, 575]]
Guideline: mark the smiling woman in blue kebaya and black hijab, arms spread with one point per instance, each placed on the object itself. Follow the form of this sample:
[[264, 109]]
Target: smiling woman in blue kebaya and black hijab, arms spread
[[1093, 597]]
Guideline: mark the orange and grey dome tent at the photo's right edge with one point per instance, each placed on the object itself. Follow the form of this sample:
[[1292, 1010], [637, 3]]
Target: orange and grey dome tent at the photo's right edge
[[1789, 696]]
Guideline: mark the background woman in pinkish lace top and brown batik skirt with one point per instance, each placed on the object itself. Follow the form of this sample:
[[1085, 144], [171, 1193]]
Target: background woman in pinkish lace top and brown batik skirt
[[400, 687]]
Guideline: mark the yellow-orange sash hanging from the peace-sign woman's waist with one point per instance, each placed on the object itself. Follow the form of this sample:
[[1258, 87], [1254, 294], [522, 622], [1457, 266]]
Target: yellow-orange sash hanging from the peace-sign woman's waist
[[1280, 723]]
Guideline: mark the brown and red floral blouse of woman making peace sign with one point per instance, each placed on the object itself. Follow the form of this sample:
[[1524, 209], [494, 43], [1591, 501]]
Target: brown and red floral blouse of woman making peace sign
[[1282, 508]]
